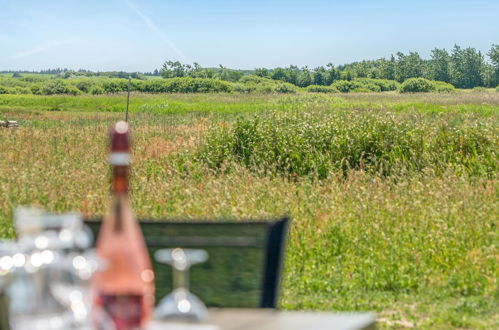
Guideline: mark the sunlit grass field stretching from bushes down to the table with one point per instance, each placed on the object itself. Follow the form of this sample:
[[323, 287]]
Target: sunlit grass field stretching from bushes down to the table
[[393, 197]]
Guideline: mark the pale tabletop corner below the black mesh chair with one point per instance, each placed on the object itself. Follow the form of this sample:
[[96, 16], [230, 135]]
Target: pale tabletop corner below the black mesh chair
[[269, 319]]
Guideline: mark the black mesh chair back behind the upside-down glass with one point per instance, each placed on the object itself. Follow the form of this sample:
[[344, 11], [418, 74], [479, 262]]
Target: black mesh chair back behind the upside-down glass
[[244, 263]]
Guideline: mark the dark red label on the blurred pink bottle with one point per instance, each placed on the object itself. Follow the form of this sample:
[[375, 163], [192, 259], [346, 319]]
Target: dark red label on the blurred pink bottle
[[124, 310]]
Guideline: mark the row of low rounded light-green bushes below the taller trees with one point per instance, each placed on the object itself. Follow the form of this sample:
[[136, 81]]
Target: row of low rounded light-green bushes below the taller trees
[[247, 84]]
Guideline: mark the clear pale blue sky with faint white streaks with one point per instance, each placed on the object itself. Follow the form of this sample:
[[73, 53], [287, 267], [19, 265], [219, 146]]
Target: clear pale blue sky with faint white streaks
[[135, 35]]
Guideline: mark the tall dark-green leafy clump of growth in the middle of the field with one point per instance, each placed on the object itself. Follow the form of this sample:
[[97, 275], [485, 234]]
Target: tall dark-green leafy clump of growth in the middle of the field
[[318, 143]]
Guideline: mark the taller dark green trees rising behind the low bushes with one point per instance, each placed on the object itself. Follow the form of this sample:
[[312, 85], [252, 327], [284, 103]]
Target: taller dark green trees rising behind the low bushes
[[461, 67]]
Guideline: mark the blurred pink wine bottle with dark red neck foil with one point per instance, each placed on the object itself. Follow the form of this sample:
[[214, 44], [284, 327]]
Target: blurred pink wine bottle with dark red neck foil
[[125, 288]]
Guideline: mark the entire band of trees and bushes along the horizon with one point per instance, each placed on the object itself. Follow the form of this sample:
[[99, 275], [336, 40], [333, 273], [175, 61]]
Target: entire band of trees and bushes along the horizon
[[463, 68]]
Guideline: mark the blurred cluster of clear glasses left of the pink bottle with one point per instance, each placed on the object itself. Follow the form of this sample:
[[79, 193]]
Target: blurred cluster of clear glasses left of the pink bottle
[[47, 245]]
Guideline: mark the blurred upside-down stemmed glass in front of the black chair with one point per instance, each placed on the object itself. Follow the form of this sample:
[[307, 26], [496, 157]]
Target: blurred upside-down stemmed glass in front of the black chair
[[181, 304]]
